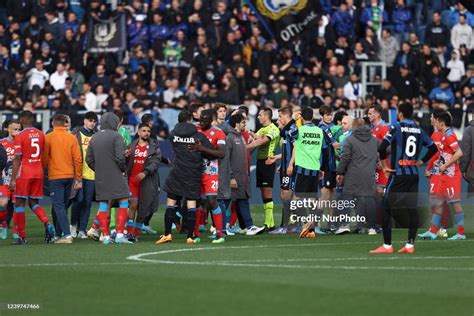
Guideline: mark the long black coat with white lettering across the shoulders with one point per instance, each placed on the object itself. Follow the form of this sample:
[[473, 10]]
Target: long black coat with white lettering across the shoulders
[[184, 179]]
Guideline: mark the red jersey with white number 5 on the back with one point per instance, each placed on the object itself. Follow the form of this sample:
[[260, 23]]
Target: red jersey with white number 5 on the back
[[29, 143]]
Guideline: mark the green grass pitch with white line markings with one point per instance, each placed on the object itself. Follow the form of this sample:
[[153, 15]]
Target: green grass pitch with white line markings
[[260, 275]]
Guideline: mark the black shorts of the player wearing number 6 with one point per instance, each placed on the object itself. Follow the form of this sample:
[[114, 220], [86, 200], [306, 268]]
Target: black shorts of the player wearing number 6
[[401, 192]]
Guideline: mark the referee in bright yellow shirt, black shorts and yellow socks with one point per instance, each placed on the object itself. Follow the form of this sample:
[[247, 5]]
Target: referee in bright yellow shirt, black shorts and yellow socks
[[267, 140]]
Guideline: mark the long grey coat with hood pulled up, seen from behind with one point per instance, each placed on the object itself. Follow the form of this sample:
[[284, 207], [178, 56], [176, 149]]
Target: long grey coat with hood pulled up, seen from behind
[[105, 155]]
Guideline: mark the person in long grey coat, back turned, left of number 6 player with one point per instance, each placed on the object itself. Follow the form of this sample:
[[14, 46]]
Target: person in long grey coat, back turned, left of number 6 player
[[357, 171]]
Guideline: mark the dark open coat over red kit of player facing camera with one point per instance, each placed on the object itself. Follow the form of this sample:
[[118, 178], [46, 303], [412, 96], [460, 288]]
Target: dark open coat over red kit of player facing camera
[[150, 185]]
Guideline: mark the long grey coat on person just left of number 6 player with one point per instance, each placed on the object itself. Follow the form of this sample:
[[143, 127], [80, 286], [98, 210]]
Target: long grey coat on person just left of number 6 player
[[358, 162]]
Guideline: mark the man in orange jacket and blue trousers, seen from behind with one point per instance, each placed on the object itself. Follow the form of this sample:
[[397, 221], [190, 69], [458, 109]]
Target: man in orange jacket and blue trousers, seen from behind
[[62, 157]]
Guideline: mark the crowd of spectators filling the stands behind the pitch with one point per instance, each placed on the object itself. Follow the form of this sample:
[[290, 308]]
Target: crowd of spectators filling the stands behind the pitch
[[184, 51]]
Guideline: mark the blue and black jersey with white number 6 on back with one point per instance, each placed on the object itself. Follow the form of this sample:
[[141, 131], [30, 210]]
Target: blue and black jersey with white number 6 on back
[[406, 140]]
